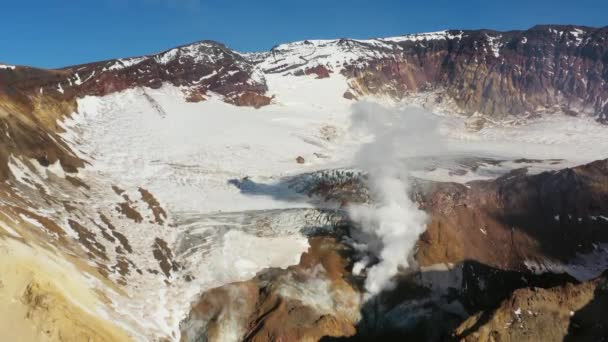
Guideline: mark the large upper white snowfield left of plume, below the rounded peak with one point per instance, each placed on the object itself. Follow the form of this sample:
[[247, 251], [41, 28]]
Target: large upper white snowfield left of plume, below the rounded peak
[[167, 153]]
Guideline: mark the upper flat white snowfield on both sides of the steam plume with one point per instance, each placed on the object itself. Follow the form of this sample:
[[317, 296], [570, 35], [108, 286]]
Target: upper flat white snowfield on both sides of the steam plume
[[187, 157]]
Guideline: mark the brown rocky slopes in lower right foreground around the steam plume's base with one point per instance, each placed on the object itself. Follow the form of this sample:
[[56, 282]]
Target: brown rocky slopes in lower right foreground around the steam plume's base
[[482, 275]]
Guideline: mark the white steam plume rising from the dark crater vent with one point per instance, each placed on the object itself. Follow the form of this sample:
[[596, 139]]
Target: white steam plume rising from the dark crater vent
[[392, 223]]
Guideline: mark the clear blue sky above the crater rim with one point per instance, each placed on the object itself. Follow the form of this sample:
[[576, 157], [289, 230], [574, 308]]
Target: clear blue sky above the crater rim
[[54, 33]]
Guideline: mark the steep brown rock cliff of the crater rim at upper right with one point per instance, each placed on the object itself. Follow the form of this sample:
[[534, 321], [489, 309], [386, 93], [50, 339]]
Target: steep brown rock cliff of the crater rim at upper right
[[545, 68]]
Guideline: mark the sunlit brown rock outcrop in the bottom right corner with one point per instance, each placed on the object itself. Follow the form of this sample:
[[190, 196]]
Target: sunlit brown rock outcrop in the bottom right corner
[[572, 312]]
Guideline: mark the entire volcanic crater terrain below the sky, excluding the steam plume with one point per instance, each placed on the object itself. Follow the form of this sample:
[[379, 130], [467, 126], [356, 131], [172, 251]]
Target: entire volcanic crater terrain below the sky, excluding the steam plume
[[200, 192]]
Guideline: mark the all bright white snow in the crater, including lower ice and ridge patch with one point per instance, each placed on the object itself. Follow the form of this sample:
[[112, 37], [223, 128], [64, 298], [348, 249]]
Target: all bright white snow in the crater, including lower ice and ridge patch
[[187, 154]]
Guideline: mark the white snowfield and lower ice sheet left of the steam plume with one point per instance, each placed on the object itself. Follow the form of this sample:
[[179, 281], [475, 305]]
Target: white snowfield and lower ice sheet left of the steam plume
[[187, 157]]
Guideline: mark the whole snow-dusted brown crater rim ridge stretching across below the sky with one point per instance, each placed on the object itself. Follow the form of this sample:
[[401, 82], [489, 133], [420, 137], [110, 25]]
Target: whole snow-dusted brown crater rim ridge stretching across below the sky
[[544, 69]]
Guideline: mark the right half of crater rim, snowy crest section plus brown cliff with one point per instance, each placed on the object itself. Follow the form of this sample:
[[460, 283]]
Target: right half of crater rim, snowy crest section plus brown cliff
[[543, 69]]
